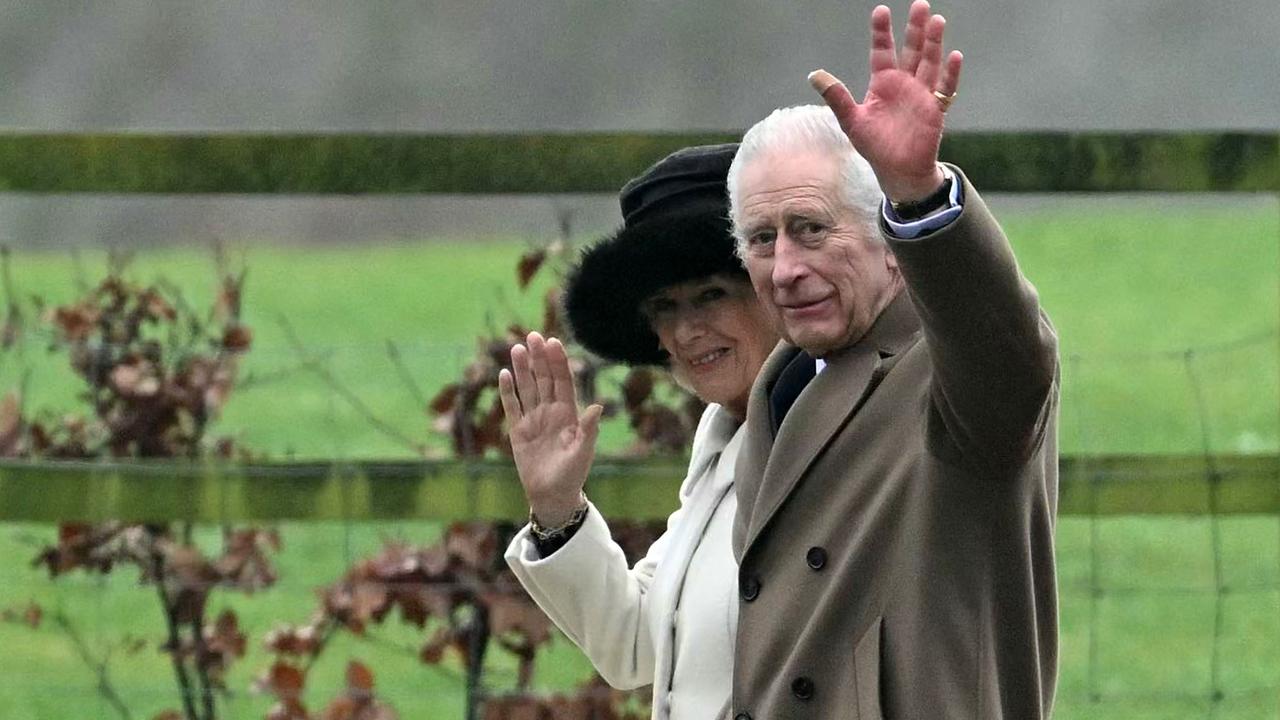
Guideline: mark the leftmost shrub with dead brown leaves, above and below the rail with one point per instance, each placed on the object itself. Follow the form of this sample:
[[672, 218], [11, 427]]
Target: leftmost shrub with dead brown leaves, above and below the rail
[[157, 373]]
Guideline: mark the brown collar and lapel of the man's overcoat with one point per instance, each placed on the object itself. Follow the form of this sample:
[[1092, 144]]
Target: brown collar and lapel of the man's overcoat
[[822, 409]]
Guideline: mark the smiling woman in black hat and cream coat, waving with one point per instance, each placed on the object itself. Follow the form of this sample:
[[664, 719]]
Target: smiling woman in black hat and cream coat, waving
[[665, 290]]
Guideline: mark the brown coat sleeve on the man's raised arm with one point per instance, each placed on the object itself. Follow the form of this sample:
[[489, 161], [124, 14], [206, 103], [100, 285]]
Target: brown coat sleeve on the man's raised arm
[[994, 350]]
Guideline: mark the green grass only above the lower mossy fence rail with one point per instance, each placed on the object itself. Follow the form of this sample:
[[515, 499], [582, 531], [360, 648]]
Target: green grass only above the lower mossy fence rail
[[1131, 289]]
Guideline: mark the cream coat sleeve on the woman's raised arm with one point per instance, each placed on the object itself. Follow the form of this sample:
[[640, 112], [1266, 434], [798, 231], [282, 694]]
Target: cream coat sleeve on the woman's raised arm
[[593, 598]]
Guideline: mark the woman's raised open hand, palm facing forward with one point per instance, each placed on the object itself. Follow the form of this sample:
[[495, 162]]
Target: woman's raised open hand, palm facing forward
[[554, 445]]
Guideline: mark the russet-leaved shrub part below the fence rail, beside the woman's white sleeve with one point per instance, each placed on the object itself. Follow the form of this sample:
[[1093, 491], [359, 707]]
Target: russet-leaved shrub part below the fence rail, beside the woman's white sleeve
[[464, 598]]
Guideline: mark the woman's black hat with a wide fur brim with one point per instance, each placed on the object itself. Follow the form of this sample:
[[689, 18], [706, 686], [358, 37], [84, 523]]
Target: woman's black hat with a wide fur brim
[[675, 229]]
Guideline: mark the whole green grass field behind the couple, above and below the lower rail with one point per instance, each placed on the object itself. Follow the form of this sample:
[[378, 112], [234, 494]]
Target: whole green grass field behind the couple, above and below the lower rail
[[1150, 302]]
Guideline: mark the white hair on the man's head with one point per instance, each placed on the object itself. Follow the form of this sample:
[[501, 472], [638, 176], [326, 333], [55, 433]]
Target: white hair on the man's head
[[806, 127]]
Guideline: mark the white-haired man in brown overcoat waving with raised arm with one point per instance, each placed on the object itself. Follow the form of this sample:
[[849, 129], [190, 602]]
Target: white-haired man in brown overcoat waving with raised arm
[[898, 485]]
